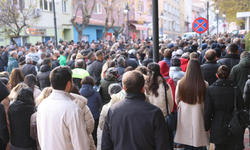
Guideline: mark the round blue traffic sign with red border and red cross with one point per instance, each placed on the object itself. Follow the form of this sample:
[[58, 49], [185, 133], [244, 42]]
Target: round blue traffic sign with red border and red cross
[[200, 25]]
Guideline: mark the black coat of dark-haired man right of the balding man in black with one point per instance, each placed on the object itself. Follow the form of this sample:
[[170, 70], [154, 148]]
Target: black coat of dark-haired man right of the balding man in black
[[229, 60]]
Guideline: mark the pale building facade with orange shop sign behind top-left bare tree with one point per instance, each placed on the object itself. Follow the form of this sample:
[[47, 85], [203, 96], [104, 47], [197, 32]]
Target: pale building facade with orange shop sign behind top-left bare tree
[[43, 29]]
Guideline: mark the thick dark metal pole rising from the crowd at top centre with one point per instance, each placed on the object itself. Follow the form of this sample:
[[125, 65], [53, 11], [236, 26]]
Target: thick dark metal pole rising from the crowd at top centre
[[155, 31]]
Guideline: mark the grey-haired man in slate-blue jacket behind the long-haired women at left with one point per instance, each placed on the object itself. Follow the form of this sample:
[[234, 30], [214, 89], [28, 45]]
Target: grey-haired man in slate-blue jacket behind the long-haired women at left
[[28, 68]]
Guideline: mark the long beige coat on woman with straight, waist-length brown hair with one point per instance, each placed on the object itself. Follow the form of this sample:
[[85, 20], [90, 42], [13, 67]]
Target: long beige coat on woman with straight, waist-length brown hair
[[190, 125]]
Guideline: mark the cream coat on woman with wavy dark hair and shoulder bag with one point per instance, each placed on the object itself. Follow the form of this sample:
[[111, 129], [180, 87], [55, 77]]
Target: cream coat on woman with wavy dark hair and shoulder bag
[[160, 101]]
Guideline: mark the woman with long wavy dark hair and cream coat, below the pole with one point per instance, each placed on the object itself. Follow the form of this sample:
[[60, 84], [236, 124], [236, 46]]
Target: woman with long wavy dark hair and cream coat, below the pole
[[155, 86]]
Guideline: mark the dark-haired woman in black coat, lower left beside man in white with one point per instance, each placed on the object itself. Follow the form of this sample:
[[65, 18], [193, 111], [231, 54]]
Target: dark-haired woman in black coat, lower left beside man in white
[[19, 116]]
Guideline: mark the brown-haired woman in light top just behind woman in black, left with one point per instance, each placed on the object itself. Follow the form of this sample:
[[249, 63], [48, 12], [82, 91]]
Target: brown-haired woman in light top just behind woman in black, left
[[30, 80]]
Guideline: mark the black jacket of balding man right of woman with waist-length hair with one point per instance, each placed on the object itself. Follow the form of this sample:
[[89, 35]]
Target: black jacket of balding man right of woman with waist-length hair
[[209, 69]]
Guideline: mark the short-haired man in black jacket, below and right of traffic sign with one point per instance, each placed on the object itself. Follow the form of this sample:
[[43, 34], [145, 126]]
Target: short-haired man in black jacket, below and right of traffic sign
[[210, 67]]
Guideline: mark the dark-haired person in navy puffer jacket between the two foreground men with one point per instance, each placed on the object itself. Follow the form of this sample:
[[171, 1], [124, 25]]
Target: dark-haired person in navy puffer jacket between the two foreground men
[[94, 101]]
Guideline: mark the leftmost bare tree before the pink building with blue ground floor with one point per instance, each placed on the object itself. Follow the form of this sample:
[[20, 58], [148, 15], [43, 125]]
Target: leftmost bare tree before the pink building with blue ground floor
[[86, 7]]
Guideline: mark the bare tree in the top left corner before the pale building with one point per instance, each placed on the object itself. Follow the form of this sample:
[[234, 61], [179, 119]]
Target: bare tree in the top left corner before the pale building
[[15, 16]]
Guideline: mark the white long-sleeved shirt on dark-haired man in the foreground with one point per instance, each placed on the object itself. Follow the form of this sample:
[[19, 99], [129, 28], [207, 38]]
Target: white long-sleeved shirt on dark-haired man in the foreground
[[60, 123]]
